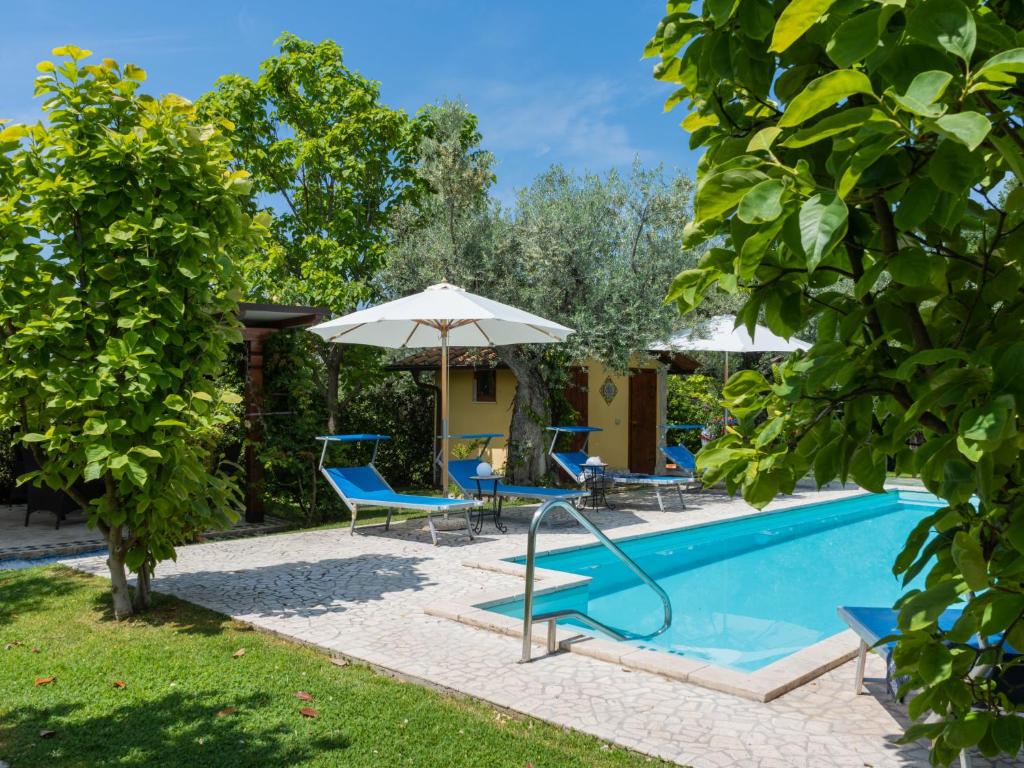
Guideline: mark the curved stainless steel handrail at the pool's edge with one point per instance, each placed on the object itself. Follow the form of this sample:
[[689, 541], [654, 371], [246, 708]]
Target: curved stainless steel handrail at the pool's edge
[[529, 620]]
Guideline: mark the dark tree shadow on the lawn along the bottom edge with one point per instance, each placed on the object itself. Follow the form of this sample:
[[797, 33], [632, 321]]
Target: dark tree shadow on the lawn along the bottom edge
[[174, 731]]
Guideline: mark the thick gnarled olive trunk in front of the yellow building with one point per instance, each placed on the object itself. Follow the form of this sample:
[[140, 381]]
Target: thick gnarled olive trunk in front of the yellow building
[[531, 414]]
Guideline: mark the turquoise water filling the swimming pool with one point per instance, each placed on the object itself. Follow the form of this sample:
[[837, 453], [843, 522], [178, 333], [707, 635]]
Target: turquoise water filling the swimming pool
[[746, 593]]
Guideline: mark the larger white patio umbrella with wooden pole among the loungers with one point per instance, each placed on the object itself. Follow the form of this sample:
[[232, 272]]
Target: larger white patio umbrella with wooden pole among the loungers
[[440, 317]]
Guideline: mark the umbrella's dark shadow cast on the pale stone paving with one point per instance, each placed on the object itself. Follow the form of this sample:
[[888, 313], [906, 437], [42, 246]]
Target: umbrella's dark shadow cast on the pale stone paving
[[303, 588]]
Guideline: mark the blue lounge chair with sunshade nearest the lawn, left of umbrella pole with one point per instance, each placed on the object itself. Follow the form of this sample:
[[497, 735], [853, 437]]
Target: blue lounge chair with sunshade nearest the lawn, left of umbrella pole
[[364, 487]]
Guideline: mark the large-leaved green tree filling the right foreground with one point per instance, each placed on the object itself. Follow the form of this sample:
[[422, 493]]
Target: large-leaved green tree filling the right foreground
[[855, 154]]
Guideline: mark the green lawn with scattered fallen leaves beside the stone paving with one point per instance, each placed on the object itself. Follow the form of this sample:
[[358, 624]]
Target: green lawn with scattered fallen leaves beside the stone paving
[[180, 670]]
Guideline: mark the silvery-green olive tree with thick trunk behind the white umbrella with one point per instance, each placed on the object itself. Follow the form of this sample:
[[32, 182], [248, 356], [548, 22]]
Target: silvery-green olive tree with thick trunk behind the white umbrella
[[591, 252]]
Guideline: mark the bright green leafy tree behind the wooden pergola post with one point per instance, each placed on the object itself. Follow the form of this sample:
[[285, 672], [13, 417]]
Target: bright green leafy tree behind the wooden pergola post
[[331, 163]]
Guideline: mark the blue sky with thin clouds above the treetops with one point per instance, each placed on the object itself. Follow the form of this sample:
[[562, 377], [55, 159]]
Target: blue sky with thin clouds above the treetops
[[552, 81]]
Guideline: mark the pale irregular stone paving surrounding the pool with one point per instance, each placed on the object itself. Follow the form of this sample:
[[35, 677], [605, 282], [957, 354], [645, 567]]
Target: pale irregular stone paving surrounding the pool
[[366, 598]]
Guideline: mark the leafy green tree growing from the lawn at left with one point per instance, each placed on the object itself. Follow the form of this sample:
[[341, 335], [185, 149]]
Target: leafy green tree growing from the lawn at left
[[120, 222]]
